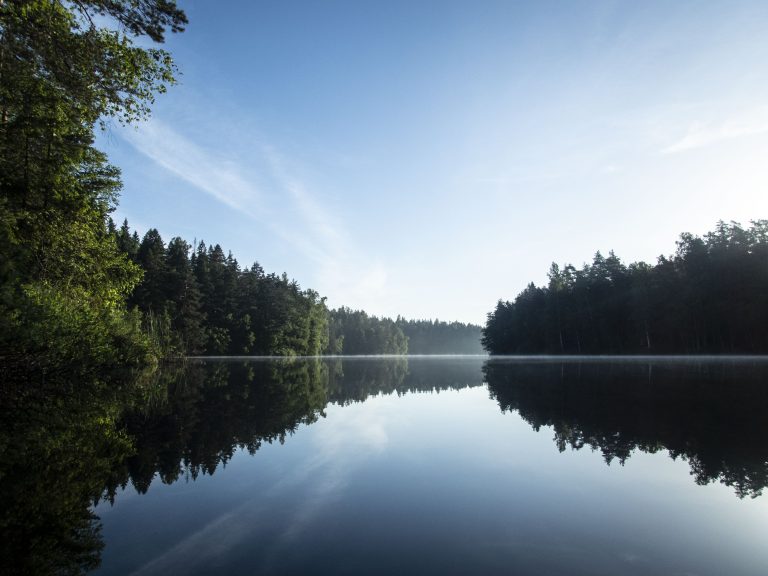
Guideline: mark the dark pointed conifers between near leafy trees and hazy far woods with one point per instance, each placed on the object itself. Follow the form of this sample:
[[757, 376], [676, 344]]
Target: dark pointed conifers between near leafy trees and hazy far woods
[[204, 303]]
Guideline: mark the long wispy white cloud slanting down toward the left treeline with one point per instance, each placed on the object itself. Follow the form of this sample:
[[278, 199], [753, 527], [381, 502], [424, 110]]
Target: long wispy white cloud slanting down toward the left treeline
[[267, 188]]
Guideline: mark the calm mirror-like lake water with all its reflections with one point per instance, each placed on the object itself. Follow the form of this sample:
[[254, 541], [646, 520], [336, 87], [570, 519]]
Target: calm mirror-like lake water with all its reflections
[[423, 466]]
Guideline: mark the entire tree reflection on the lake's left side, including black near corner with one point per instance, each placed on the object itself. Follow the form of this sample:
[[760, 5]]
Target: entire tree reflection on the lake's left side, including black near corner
[[66, 448]]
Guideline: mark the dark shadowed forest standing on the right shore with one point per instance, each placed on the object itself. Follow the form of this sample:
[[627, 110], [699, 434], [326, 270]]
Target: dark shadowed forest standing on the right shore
[[711, 296]]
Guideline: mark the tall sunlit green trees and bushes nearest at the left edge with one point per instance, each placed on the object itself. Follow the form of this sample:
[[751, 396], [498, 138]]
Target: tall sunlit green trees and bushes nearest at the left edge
[[63, 280]]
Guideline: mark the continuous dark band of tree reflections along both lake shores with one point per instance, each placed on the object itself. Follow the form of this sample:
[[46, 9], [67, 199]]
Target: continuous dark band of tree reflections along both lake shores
[[190, 418]]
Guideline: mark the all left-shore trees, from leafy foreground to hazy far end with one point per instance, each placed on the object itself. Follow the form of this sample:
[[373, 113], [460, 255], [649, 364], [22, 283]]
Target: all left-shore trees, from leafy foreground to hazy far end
[[75, 291]]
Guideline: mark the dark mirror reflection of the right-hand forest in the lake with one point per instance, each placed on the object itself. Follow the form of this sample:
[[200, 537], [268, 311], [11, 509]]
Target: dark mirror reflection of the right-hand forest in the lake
[[713, 415]]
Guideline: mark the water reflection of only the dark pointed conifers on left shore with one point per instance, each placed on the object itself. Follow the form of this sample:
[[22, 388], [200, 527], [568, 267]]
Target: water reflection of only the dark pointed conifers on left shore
[[211, 410]]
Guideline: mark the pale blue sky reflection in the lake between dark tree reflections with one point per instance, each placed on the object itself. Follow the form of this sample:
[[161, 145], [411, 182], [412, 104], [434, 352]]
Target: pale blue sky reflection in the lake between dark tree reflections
[[435, 483]]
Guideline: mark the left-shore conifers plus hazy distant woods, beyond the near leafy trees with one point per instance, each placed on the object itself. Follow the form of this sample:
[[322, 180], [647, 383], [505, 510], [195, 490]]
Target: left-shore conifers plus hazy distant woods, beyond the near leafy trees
[[200, 301]]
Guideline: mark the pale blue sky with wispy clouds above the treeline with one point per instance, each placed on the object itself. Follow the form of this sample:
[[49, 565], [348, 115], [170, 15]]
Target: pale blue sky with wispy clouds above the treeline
[[428, 158]]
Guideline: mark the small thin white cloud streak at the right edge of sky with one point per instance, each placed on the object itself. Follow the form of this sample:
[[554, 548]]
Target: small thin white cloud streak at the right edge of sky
[[701, 134]]
